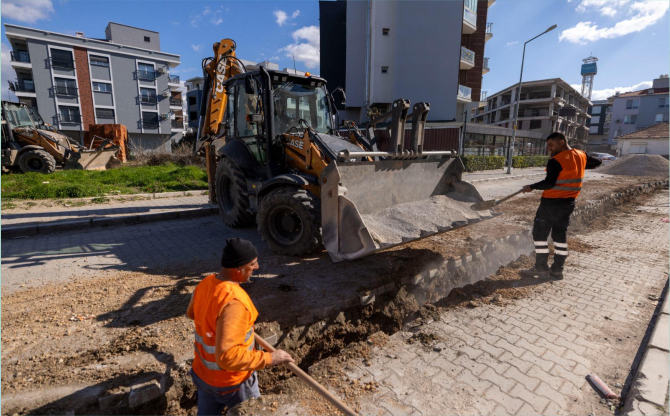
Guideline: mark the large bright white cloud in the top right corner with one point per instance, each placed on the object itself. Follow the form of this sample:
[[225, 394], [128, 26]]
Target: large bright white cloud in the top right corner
[[645, 14]]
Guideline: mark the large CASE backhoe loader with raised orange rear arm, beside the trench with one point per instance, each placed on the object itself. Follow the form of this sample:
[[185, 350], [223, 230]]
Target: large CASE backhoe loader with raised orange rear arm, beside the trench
[[274, 156]]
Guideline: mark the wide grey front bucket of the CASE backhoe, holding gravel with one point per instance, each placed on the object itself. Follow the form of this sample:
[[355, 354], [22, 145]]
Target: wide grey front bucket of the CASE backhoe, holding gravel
[[371, 206]]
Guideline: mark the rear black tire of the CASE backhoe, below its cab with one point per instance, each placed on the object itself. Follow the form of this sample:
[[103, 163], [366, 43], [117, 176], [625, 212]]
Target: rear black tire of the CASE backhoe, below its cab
[[231, 194]]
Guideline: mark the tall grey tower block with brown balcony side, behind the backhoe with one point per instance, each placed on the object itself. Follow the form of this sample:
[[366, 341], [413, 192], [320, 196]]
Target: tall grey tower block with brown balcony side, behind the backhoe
[[431, 51]]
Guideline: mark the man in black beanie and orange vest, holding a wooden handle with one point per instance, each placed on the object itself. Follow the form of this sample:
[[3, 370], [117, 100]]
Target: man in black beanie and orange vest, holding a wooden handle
[[226, 360]]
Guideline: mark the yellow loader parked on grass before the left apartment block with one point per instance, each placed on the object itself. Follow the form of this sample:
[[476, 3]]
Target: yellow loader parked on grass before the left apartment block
[[31, 145]]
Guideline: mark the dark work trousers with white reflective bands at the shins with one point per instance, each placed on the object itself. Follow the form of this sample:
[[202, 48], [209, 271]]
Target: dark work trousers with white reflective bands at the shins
[[553, 216]]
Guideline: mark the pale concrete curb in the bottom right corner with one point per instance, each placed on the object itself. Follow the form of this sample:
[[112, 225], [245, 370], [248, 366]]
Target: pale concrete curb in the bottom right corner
[[649, 390]]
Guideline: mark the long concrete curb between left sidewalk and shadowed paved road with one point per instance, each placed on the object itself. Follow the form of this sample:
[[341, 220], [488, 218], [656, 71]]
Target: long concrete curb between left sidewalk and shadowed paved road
[[53, 227]]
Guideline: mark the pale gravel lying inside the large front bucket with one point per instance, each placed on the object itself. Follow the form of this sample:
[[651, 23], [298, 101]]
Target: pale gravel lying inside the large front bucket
[[412, 220]]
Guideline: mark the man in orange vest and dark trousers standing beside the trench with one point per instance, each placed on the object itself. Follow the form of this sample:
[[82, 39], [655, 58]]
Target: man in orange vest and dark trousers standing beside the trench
[[565, 173]]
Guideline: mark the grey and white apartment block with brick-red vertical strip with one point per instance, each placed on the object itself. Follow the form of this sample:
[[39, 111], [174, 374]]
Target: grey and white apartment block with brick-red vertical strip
[[75, 81]]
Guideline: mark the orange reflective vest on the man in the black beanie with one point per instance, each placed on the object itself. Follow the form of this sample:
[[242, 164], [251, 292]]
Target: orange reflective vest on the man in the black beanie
[[210, 297]]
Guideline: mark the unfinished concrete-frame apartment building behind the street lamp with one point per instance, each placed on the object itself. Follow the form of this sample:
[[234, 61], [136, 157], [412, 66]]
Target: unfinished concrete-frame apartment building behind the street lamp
[[546, 106]]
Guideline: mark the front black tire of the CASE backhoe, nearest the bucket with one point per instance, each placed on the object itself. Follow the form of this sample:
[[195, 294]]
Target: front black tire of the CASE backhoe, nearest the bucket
[[289, 220]]
